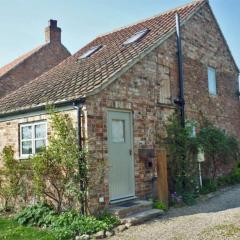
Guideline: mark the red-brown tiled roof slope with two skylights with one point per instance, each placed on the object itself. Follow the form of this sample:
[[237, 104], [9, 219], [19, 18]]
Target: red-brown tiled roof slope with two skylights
[[75, 78]]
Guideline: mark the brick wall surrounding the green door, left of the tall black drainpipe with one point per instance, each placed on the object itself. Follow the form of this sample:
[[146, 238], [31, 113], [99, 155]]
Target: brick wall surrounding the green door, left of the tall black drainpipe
[[136, 91]]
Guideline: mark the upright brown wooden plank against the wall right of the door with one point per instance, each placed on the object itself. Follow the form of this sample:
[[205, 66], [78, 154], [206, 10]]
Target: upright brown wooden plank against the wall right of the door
[[162, 179]]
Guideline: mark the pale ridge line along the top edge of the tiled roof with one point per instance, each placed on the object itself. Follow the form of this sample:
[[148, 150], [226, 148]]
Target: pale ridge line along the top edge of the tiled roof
[[152, 17]]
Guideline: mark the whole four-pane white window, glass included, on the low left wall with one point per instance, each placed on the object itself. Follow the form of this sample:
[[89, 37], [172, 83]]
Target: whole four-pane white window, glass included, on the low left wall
[[32, 138]]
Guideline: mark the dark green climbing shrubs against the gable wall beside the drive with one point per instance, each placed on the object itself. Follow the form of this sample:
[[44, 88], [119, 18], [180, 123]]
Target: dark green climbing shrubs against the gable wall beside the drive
[[219, 147]]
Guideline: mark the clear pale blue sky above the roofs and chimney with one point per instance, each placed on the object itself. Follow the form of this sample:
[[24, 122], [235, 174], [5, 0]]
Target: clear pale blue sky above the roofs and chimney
[[22, 21]]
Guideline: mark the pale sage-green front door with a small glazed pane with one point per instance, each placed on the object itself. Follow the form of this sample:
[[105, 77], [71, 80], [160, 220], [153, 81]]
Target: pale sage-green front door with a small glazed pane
[[120, 155]]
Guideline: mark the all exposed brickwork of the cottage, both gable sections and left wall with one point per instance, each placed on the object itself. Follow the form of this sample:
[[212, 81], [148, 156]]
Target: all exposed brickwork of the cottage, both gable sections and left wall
[[139, 91]]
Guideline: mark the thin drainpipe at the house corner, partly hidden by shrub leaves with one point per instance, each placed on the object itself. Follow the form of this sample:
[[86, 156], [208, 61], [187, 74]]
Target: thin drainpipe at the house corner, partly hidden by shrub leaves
[[78, 106]]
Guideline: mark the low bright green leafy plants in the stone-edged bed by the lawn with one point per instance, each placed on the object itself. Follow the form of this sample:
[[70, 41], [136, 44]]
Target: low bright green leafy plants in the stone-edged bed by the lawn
[[65, 225]]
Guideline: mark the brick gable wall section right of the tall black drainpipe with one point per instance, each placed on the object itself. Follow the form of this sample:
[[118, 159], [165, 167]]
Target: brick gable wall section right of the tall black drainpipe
[[204, 46]]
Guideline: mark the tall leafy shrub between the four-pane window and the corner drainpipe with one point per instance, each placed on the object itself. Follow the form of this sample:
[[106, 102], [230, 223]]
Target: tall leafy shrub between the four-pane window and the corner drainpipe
[[60, 167]]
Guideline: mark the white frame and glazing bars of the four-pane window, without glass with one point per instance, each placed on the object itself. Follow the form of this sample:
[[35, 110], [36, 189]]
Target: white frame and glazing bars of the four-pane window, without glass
[[33, 139]]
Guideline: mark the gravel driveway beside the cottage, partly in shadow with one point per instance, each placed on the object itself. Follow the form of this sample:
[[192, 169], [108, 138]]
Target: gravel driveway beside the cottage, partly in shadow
[[217, 219]]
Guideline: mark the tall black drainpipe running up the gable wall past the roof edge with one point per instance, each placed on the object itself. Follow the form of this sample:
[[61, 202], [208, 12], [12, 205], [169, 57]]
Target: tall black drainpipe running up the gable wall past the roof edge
[[180, 101]]
